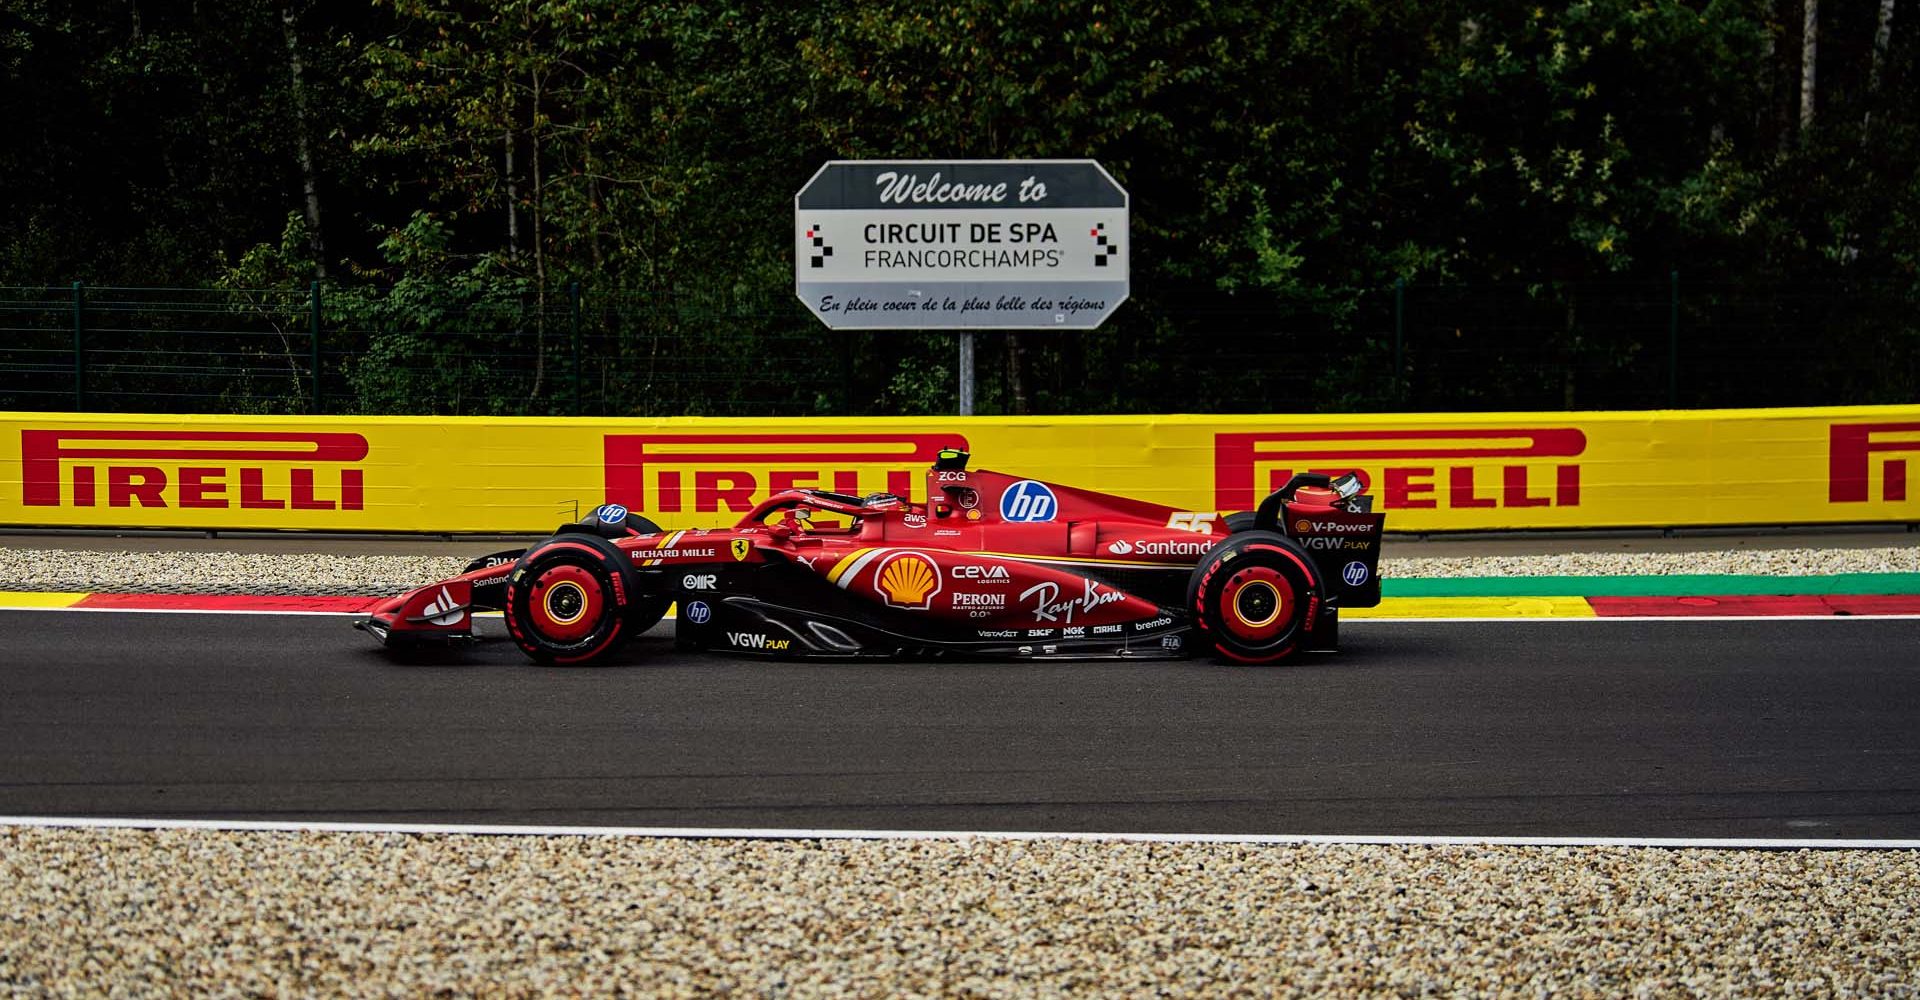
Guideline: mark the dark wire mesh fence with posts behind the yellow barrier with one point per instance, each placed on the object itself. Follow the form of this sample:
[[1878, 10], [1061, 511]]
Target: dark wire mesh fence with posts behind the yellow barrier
[[1618, 345]]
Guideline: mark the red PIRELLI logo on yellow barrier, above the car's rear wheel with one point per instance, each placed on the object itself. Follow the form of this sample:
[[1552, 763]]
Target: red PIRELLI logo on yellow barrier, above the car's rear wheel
[[1452, 469]]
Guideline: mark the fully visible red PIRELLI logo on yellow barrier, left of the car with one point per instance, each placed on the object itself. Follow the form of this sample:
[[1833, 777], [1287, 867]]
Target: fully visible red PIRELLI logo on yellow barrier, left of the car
[[193, 469]]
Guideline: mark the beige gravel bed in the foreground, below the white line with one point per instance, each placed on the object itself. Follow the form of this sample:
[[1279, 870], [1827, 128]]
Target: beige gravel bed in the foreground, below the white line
[[208, 913]]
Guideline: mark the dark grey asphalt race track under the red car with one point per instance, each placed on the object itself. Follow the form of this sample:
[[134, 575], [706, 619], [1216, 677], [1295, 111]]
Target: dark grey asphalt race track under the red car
[[1614, 728]]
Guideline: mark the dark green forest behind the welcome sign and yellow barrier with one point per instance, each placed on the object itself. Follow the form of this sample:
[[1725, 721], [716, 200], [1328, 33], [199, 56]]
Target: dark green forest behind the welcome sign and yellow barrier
[[583, 206]]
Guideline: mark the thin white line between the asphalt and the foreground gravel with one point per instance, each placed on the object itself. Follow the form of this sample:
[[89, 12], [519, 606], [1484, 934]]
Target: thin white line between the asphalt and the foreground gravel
[[757, 834]]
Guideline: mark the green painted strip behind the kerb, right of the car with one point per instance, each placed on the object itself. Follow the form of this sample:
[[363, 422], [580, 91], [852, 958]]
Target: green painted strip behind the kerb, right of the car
[[1650, 586]]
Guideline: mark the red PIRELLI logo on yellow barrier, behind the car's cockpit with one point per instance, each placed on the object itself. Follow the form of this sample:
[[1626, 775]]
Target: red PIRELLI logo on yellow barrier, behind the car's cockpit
[[708, 473]]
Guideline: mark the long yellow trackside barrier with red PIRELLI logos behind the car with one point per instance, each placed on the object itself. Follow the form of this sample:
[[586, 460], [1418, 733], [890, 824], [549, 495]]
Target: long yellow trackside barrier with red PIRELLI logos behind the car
[[1431, 473]]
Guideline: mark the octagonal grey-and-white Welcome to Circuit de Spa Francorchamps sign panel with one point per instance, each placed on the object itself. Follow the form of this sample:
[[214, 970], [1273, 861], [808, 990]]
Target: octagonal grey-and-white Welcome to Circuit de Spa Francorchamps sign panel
[[961, 245]]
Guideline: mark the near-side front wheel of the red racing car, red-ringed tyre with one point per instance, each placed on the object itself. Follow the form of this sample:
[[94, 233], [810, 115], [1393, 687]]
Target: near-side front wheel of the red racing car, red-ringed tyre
[[569, 600]]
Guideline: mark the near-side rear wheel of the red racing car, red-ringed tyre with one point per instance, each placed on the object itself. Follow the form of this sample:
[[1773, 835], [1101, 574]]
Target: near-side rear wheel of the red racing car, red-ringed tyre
[[1255, 598]]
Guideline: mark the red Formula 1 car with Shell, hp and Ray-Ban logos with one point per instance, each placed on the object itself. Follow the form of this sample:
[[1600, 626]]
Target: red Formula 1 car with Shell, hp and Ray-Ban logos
[[992, 567]]
